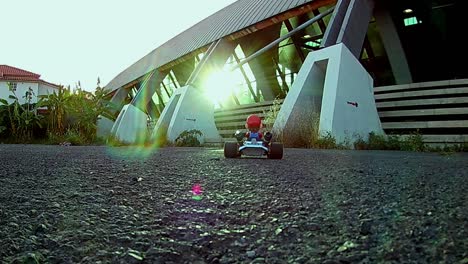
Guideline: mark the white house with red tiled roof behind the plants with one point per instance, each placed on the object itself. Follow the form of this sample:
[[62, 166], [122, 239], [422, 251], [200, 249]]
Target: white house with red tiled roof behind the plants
[[21, 81]]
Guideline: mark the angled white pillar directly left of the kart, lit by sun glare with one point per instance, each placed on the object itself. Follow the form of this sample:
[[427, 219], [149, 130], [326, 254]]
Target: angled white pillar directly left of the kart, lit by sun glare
[[189, 108]]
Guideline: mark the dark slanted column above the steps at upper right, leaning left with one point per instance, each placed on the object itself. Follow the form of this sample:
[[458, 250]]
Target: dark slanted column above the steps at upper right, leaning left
[[391, 41]]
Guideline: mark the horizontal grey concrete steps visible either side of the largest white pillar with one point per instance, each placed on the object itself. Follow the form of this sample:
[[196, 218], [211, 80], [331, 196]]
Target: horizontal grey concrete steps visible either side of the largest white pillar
[[437, 110]]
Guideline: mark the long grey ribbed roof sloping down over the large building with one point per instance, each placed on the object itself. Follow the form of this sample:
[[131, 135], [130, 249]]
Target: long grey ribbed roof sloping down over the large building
[[231, 19]]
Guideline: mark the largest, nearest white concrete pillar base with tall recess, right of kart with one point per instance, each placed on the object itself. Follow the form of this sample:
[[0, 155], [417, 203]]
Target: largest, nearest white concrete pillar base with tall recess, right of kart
[[334, 91]]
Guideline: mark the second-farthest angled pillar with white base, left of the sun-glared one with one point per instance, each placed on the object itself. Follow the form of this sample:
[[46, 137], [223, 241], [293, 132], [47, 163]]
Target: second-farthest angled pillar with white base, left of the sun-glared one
[[131, 125]]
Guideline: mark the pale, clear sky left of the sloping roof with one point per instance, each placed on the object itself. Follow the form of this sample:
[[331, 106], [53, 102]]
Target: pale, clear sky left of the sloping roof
[[67, 41]]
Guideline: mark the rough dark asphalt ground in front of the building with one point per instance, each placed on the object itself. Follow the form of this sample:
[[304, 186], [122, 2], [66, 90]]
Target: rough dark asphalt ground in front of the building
[[97, 204]]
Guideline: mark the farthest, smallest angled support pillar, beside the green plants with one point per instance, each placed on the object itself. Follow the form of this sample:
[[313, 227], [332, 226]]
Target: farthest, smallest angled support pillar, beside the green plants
[[104, 124]]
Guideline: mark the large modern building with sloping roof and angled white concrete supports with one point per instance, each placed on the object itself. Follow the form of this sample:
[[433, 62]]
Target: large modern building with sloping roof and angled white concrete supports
[[356, 65]]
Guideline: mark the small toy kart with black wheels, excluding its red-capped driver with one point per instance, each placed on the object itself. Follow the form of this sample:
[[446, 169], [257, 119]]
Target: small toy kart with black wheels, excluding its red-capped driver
[[253, 148]]
